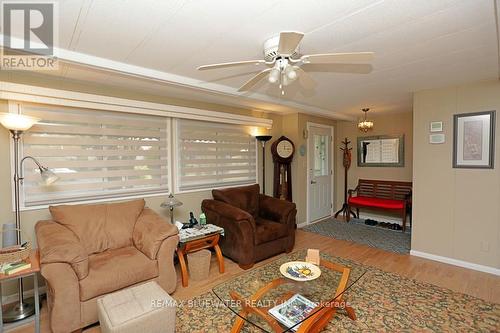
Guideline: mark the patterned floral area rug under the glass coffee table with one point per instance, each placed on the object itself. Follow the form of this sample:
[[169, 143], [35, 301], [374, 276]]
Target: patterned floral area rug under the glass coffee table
[[384, 302]]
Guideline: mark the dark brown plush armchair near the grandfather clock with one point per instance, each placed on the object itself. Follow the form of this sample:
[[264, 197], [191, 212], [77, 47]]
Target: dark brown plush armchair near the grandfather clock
[[256, 226]]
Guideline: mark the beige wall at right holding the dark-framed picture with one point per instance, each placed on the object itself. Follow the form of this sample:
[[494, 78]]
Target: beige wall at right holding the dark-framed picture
[[456, 211]]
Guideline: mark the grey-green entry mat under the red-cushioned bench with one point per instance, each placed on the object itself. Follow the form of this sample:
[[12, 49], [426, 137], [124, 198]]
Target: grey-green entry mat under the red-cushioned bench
[[358, 232]]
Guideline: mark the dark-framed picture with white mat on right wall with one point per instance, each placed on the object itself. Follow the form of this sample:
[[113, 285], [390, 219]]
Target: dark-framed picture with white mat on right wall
[[474, 140]]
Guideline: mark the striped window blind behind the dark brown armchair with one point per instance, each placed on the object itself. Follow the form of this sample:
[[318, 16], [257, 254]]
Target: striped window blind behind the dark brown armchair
[[214, 155]]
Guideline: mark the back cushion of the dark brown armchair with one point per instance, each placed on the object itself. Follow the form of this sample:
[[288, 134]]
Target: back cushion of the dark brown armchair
[[244, 197]]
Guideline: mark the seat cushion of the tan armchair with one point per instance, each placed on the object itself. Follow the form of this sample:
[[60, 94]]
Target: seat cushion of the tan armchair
[[116, 269]]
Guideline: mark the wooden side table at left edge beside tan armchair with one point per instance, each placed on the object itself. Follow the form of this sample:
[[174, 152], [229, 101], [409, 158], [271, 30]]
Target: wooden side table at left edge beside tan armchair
[[34, 258]]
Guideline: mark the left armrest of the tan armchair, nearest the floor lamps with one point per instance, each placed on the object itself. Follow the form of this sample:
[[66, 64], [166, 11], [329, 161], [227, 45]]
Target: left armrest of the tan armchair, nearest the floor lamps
[[59, 244]]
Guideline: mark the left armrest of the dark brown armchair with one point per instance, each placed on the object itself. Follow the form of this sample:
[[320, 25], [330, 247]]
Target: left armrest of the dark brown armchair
[[222, 211]]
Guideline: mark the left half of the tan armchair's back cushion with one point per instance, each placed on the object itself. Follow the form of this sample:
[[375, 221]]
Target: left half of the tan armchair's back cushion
[[87, 222]]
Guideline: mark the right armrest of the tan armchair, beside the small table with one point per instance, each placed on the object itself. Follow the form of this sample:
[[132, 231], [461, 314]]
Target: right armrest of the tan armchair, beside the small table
[[150, 231]]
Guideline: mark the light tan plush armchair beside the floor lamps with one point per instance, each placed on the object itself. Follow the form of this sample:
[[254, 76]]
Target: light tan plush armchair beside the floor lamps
[[87, 251]]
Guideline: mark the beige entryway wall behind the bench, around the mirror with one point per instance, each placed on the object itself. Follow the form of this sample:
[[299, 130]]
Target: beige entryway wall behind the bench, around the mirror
[[392, 124]]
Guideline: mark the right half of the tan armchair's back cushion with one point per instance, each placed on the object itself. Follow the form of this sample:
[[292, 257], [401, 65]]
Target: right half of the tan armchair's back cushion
[[120, 222]]
